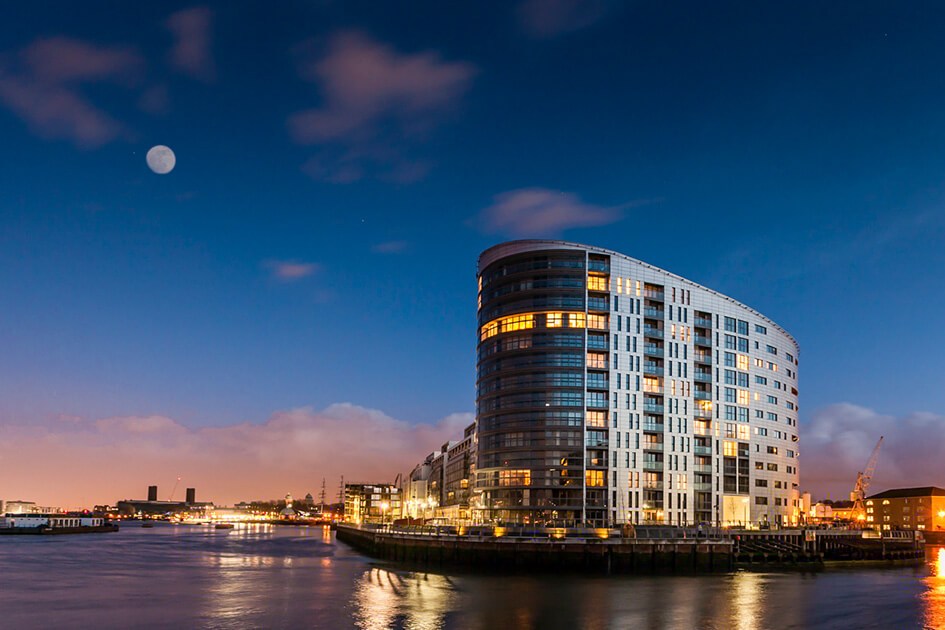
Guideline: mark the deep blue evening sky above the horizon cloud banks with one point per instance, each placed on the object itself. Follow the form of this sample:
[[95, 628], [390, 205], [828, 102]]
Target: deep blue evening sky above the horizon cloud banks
[[790, 156]]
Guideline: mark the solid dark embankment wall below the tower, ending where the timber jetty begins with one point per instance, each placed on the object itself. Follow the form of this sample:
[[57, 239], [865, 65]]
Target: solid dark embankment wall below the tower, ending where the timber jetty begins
[[508, 553]]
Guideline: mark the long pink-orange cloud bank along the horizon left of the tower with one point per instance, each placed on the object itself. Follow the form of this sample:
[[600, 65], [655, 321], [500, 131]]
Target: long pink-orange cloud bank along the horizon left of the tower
[[289, 452]]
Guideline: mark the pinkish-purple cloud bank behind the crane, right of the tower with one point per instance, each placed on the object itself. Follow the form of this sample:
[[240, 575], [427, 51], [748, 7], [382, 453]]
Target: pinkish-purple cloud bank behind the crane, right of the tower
[[836, 444]]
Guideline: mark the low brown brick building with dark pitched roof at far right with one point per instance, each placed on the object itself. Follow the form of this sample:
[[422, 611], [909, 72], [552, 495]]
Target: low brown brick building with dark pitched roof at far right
[[908, 508]]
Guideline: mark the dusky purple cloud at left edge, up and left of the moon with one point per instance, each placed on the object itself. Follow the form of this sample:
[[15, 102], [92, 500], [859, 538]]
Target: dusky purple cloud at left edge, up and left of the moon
[[43, 86]]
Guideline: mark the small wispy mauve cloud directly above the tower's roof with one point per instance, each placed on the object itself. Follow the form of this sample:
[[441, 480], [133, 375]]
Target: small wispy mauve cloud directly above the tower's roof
[[543, 212]]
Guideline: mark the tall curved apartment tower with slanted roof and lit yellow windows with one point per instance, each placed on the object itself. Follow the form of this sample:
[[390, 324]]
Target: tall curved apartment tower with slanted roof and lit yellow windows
[[611, 391]]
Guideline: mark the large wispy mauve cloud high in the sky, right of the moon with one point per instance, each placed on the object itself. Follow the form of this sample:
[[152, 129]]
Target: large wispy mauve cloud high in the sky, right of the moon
[[377, 103]]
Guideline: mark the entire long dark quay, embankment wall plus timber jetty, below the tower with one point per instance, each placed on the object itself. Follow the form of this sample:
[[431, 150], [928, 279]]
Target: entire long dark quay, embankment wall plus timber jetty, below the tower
[[642, 551]]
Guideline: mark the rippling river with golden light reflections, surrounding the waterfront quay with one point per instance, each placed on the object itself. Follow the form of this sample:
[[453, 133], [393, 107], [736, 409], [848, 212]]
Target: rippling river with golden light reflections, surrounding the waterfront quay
[[286, 577]]
